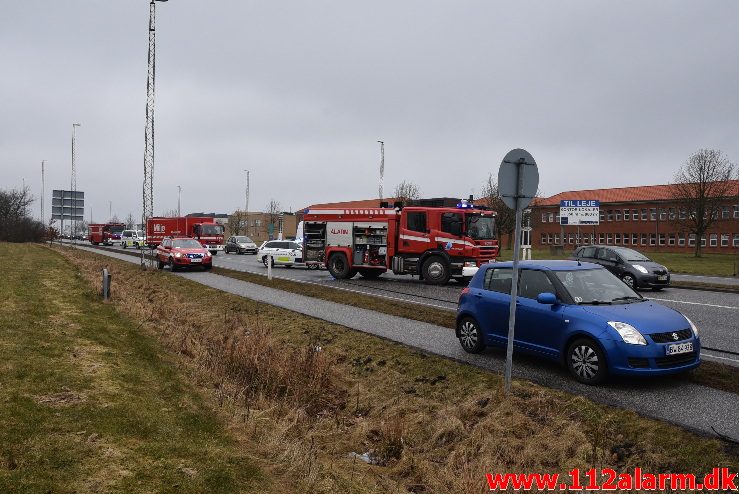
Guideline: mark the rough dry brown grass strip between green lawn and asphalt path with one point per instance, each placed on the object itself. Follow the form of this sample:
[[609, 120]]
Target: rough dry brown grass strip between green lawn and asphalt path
[[428, 424]]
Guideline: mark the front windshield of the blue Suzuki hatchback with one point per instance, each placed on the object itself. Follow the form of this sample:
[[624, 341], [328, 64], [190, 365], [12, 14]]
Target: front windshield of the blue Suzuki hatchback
[[596, 286]]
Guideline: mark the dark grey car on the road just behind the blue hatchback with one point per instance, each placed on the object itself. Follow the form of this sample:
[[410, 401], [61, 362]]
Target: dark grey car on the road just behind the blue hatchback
[[633, 267]]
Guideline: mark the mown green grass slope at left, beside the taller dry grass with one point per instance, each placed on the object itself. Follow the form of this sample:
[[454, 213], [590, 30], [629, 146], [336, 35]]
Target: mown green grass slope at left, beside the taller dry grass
[[91, 403]]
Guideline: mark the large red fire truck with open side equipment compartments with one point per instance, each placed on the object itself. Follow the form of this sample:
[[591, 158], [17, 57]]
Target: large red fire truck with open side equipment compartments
[[436, 239]]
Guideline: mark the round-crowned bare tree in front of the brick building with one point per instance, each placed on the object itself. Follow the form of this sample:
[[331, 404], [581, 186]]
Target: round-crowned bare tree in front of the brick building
[[701, 186]]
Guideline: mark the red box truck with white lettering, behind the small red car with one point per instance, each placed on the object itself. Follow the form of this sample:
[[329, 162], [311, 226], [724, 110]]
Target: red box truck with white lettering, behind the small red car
[[203, 229]]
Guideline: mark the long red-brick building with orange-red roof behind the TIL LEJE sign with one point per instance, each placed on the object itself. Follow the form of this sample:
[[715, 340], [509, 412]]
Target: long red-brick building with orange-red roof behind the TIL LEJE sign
[[645, 218]]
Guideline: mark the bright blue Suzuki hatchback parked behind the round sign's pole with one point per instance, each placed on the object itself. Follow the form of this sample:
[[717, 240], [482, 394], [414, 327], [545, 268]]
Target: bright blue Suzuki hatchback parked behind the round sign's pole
[[580, 314]]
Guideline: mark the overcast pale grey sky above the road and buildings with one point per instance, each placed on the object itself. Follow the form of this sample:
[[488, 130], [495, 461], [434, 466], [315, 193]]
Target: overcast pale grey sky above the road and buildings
[[603, 94]]
